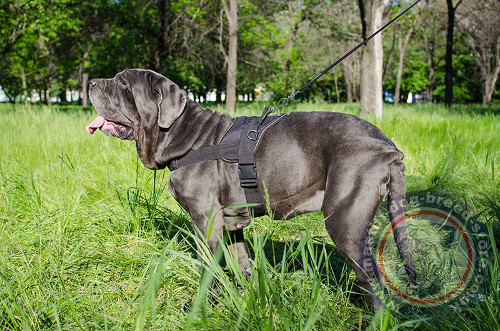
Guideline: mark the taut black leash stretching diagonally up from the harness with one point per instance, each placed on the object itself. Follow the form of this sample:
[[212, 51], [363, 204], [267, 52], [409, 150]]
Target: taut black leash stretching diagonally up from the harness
[[283, 102]]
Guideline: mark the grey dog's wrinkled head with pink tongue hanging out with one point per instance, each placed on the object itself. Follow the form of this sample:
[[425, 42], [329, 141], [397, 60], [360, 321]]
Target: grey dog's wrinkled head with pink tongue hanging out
[[135, 105]]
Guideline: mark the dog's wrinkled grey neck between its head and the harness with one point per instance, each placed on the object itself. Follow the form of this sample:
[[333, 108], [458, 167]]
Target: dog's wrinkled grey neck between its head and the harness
[[196, 127]]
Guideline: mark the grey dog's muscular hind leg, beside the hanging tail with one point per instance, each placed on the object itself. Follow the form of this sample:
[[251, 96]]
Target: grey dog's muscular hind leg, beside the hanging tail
[[348, 218]]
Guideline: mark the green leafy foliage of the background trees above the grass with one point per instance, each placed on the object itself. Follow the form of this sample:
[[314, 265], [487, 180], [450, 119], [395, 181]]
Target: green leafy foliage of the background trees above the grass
[[47, 45]]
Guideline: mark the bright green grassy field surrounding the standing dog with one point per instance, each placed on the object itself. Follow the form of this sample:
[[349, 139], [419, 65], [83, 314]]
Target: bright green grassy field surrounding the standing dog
[[91, 240]]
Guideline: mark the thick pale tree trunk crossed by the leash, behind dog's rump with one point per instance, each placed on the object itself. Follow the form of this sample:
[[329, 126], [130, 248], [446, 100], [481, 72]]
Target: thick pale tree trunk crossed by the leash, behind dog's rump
[[373, 56]]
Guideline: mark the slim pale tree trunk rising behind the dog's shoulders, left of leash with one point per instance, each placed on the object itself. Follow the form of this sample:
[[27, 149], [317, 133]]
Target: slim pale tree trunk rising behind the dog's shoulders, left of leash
[[232, 18]]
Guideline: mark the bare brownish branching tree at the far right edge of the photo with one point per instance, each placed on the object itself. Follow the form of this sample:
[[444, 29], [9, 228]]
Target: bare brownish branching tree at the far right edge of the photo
[[480, 24]]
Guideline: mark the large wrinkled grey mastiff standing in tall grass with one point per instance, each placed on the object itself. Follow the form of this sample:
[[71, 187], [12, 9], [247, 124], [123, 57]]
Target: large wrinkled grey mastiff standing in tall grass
[[337, 163]]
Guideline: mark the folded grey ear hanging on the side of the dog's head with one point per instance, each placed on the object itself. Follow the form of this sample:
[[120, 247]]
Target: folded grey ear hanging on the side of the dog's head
[[172, 102]]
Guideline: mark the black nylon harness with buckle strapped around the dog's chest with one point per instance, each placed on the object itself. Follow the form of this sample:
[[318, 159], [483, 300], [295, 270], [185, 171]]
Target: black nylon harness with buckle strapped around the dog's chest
[[238, 144]]
